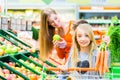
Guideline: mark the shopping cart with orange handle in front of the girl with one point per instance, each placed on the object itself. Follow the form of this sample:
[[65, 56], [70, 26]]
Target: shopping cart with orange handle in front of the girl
[[74, 75]]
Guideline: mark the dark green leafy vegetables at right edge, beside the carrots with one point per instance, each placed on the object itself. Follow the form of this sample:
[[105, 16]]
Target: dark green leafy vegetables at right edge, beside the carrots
[[114, 44]]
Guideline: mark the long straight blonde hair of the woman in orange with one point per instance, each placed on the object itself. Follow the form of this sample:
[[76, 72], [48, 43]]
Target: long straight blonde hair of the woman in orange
[[46, 33]]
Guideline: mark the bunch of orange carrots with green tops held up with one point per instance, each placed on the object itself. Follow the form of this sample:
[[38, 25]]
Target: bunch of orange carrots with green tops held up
[[102, 59]]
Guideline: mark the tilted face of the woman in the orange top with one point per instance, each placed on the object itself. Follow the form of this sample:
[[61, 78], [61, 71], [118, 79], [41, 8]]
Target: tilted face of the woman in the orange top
[[54, 21]]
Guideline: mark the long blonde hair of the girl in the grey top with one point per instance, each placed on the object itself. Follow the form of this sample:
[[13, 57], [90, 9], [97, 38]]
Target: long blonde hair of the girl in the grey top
[[76, 48]]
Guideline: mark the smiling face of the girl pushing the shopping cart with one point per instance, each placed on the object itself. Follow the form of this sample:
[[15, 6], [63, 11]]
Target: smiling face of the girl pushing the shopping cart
[[82, 38]]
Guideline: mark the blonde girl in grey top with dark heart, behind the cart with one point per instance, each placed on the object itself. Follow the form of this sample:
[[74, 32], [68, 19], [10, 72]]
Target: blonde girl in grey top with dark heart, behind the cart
[[84, 51]]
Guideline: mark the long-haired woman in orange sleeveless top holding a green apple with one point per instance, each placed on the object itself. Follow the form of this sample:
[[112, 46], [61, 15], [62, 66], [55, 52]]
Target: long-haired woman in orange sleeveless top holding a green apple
[[50, 25]]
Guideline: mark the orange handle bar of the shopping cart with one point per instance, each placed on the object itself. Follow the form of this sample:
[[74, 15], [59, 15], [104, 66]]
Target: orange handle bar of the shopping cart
[[73, 69]]
